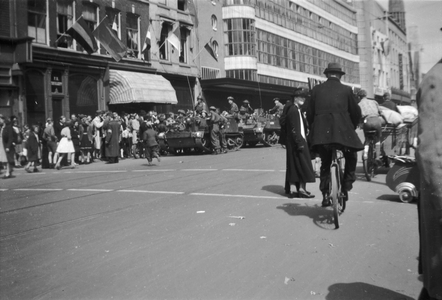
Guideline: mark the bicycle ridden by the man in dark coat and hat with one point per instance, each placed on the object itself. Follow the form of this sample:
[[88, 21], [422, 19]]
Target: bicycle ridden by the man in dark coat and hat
[[335, 194]]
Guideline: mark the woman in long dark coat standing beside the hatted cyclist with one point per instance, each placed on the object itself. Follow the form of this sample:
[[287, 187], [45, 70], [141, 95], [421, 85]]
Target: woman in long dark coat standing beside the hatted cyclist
[[299, 167]]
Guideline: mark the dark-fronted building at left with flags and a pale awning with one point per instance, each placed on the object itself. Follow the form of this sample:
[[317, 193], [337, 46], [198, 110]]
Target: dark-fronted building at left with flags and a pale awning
[[46, 73]]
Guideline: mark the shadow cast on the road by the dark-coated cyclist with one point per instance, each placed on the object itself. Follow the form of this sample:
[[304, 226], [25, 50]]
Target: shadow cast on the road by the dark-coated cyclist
[[322, 217]]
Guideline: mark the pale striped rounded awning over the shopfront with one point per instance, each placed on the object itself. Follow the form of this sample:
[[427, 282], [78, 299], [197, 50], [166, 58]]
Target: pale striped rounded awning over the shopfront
[[133, 87]]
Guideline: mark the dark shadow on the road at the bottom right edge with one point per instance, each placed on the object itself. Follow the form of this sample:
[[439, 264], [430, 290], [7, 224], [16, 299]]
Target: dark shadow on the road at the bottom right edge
[[362, 291]]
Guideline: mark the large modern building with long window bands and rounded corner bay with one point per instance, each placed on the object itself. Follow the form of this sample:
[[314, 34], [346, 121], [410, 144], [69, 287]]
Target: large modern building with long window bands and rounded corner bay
[[268, 47]]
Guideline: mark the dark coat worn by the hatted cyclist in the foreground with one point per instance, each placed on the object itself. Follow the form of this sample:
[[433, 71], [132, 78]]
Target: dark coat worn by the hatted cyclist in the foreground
[[333, 115]]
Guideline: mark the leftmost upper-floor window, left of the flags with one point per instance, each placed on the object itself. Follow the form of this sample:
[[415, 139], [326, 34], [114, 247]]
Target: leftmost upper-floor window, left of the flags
[[37, 20]]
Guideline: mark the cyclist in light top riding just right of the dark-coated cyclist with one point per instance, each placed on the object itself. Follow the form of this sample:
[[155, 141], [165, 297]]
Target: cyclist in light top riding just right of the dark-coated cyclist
[[372, 120]]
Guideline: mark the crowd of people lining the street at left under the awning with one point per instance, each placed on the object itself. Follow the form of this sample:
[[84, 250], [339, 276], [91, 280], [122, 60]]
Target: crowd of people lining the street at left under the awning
[[109, 136]]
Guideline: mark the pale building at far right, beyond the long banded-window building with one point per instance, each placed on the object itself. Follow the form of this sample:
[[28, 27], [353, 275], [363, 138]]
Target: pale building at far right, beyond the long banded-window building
[[383, 50]]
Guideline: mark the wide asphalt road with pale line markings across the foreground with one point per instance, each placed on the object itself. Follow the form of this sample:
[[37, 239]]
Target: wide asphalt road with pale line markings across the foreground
[[200, 227]]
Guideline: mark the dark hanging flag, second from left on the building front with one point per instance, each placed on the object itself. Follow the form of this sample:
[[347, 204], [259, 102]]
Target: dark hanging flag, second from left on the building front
[[110, 41]]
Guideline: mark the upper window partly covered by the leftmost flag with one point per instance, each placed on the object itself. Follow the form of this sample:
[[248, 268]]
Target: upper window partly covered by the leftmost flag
[[65, 19]]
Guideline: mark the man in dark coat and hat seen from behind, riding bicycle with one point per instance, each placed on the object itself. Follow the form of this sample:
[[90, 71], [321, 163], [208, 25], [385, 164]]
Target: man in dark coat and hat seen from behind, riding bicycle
[[333, 115]]
